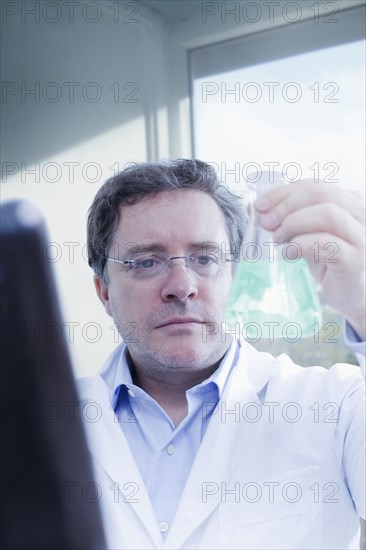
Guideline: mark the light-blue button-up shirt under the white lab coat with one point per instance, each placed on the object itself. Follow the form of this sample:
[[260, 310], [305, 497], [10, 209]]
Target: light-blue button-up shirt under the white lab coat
[[164, 453]]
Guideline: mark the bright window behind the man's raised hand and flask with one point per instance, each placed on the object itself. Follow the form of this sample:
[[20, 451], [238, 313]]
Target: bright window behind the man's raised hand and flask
[[291, 99]]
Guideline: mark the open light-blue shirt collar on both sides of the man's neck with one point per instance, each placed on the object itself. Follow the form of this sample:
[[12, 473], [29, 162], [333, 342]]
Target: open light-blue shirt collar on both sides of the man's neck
[[123, 374]]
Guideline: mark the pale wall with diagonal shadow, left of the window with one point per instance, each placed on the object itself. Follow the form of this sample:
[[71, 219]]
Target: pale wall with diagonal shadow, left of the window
[[58, 153]]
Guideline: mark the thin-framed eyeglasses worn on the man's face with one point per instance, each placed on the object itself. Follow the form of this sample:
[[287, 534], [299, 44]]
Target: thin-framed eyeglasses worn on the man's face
[[154, 266]]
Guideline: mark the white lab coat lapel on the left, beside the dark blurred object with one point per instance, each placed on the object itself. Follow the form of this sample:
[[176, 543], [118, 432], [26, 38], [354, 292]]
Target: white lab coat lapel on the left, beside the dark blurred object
[[110, 448]]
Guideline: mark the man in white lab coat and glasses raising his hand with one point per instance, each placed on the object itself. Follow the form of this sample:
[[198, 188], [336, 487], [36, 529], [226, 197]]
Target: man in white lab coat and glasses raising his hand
[[200, 441]]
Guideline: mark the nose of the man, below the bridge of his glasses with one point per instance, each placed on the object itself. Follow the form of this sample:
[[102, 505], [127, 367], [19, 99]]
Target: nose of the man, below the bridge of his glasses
[[180, 284]]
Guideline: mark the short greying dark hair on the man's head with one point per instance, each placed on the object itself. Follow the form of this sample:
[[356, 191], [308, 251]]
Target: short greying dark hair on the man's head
[[139, 181]]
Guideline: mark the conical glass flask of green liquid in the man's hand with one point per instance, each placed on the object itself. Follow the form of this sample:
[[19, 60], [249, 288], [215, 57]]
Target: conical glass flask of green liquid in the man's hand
[[272, 296]]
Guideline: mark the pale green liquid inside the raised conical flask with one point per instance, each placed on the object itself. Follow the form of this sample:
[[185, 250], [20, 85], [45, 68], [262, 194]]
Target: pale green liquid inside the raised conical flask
[[279, 293]]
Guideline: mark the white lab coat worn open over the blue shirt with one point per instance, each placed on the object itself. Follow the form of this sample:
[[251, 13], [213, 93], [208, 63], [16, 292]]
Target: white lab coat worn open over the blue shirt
[[284, 469]]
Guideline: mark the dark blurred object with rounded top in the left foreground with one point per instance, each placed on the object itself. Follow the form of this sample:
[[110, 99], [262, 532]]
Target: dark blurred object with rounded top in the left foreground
[[49, 499]]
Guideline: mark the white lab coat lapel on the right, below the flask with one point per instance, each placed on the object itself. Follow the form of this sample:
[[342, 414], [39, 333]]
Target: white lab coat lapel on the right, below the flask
[[222, 448]]
